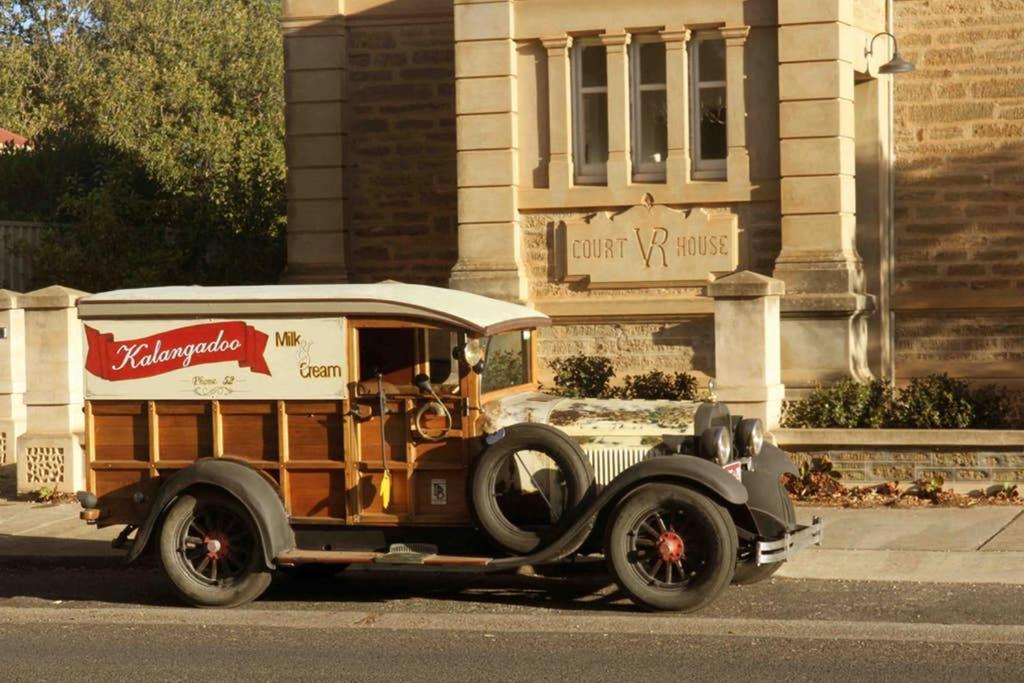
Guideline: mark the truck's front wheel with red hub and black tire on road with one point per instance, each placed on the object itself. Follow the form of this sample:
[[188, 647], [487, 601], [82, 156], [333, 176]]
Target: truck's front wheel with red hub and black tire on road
[[669, 528]]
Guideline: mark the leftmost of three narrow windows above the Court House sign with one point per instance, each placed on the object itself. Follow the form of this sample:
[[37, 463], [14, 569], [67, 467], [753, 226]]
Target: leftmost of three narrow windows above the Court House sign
[[590, 112]]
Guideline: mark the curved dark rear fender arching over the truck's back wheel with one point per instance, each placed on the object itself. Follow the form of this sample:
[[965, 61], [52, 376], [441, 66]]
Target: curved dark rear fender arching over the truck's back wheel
[[237, 480]]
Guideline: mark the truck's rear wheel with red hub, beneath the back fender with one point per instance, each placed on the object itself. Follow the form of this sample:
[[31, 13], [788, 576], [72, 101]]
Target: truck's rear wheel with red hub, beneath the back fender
[[226, 574]]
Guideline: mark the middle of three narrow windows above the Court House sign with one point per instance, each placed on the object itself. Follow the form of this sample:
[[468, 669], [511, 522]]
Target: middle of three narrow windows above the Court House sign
[[650, 108]]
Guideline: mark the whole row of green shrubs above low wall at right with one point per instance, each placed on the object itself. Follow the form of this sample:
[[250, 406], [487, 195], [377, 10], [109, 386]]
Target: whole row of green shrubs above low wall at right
[[936, 402]]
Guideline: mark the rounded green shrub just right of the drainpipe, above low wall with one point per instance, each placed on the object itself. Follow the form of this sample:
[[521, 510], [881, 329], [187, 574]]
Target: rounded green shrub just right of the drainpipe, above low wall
[[936, 402]]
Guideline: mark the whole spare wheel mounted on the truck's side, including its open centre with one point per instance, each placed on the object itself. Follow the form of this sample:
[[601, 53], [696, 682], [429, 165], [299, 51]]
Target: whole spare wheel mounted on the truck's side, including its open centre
[[509, 499]]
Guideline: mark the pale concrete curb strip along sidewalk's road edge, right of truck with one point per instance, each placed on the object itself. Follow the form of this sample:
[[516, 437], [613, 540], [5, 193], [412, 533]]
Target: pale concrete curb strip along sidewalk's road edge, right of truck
[[904, 566]]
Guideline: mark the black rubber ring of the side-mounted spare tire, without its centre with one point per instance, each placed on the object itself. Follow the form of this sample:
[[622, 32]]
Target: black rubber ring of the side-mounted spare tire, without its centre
[[573, 466]]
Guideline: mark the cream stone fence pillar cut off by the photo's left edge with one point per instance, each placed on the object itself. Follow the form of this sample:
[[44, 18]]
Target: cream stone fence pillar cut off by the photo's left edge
[[12, 376]]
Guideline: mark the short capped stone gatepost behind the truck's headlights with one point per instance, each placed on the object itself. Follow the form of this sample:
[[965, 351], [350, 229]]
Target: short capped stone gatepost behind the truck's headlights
[[747, 346]]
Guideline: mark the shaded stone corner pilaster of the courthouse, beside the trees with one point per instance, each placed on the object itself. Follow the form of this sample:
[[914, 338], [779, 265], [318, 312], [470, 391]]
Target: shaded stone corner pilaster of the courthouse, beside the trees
[[315, 138]]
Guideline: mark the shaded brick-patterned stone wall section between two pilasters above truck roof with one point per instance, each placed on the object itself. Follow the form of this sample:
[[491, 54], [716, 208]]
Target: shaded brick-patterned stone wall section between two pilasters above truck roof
[[402, 206]]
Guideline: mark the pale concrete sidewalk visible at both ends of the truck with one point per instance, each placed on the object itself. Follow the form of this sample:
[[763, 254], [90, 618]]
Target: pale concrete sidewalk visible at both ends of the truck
[[944, 545]]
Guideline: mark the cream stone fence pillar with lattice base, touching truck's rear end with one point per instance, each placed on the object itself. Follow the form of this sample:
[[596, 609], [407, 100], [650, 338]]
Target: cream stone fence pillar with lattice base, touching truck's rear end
[[50, 455]]
